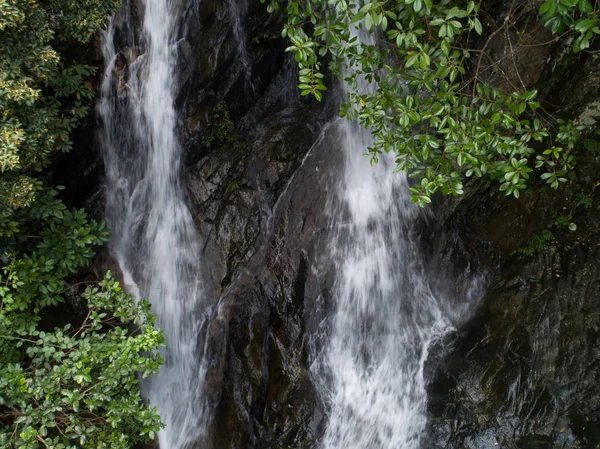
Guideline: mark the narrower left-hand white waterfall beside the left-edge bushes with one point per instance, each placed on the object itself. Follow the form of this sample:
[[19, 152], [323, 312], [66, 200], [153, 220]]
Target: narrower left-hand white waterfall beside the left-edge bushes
[[154, 240]]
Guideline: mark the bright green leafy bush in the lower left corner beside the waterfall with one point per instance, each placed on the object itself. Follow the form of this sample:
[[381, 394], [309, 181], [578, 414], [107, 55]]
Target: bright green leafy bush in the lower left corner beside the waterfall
[[74, 387]]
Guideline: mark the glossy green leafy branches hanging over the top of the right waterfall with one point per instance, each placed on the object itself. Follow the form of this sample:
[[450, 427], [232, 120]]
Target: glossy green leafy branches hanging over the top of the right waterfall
[[430, 107]]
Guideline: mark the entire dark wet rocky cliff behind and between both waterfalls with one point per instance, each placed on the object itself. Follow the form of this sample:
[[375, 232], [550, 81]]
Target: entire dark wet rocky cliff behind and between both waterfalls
[[522, 373]]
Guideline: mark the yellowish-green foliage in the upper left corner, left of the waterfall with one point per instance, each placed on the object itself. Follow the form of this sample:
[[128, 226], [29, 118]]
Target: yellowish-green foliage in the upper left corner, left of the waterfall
[[41, 97]]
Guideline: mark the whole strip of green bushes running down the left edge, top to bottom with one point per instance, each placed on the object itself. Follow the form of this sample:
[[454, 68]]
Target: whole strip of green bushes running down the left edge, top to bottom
[[61, 385]]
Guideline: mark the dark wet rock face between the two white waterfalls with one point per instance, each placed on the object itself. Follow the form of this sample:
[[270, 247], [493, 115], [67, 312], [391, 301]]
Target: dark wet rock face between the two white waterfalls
[[256, 200]]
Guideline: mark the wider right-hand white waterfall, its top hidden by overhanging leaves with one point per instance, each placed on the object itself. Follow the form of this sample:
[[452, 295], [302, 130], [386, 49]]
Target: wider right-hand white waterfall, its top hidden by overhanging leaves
[[386, 317]]
